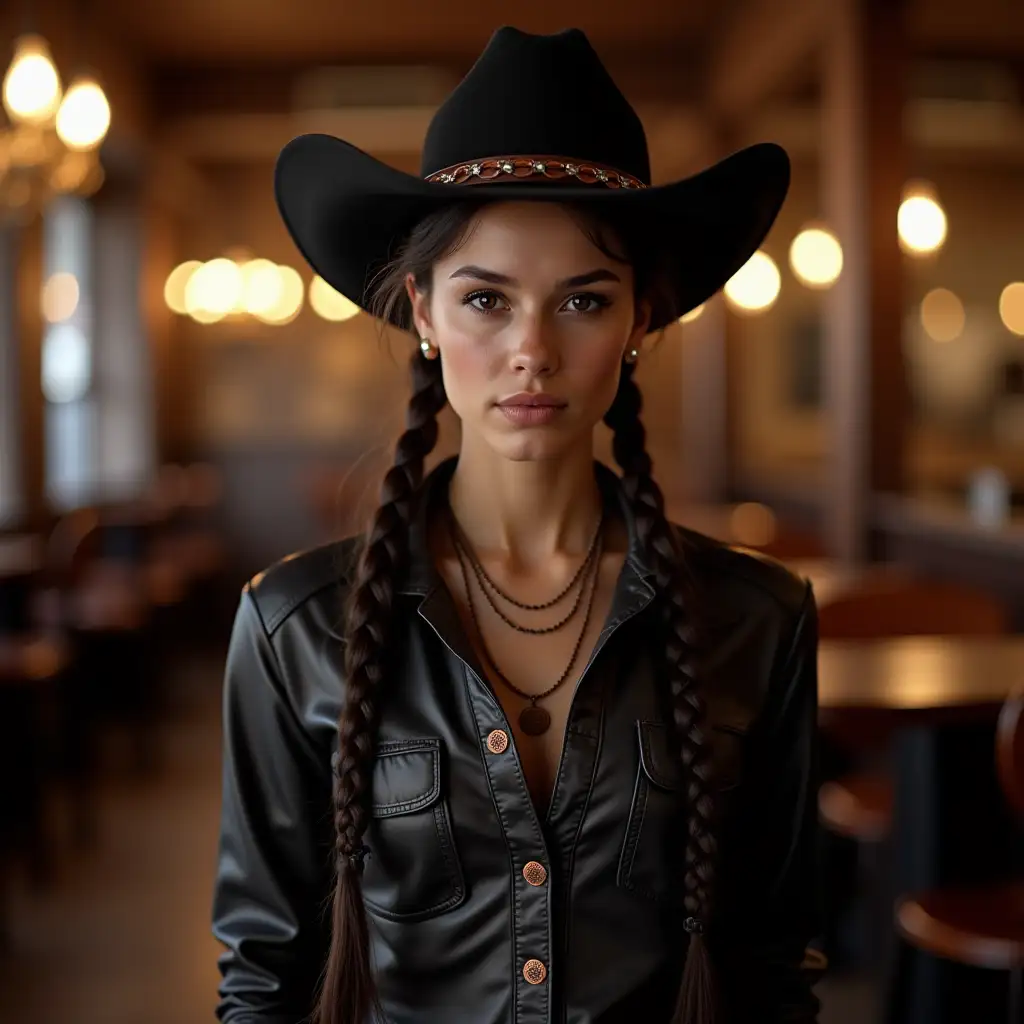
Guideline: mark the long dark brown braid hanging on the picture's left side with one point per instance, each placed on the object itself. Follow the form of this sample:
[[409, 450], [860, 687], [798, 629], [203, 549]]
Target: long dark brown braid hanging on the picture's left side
[[348, 994]]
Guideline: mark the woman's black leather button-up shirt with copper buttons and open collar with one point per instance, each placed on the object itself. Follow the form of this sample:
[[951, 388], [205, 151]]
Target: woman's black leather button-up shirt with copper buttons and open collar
[[453, 919]]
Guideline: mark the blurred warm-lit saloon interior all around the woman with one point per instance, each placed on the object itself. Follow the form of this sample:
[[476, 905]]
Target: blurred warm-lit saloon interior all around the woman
[[182, 404]]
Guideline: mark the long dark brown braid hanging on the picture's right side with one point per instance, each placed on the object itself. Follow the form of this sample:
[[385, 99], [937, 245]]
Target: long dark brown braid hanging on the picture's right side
[[697, 996]]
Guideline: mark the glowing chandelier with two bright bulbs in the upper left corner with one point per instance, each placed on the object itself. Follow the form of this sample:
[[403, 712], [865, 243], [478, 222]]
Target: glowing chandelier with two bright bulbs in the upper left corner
[[50, 145]]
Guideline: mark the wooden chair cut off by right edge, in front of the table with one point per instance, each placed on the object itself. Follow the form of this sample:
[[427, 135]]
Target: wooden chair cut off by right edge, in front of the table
[[984, 926]]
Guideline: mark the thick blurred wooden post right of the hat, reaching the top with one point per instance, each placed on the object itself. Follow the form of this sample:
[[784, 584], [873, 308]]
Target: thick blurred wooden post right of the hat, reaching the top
[[864, 165]]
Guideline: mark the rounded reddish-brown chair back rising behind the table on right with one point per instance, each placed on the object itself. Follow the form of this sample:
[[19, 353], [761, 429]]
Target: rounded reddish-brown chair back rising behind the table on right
[[880, 608]]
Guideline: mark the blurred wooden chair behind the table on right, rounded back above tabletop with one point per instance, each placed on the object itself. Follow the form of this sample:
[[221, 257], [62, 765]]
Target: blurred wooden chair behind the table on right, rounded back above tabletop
[[883, 607]]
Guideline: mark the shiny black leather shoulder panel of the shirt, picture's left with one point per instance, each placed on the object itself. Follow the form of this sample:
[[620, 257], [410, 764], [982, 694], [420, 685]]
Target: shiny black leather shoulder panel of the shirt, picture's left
[[288, 585]]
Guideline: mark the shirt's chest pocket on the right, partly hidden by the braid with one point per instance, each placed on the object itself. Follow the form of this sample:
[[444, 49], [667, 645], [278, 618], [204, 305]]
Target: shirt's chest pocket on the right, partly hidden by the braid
[[652, 863]]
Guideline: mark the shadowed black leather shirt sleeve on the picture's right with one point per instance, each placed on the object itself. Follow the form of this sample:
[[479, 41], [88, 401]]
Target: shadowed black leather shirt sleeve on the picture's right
[[769, 880]]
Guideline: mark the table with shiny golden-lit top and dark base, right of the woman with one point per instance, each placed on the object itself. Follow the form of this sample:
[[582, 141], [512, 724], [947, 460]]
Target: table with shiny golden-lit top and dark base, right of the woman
[[940, 698]]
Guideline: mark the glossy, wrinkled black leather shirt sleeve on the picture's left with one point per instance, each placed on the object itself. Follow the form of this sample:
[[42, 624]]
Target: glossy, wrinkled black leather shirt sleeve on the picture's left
[[274, 865]]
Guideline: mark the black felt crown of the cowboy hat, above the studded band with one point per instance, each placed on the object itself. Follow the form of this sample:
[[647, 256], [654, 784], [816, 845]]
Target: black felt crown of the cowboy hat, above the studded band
[[538, 96]]
